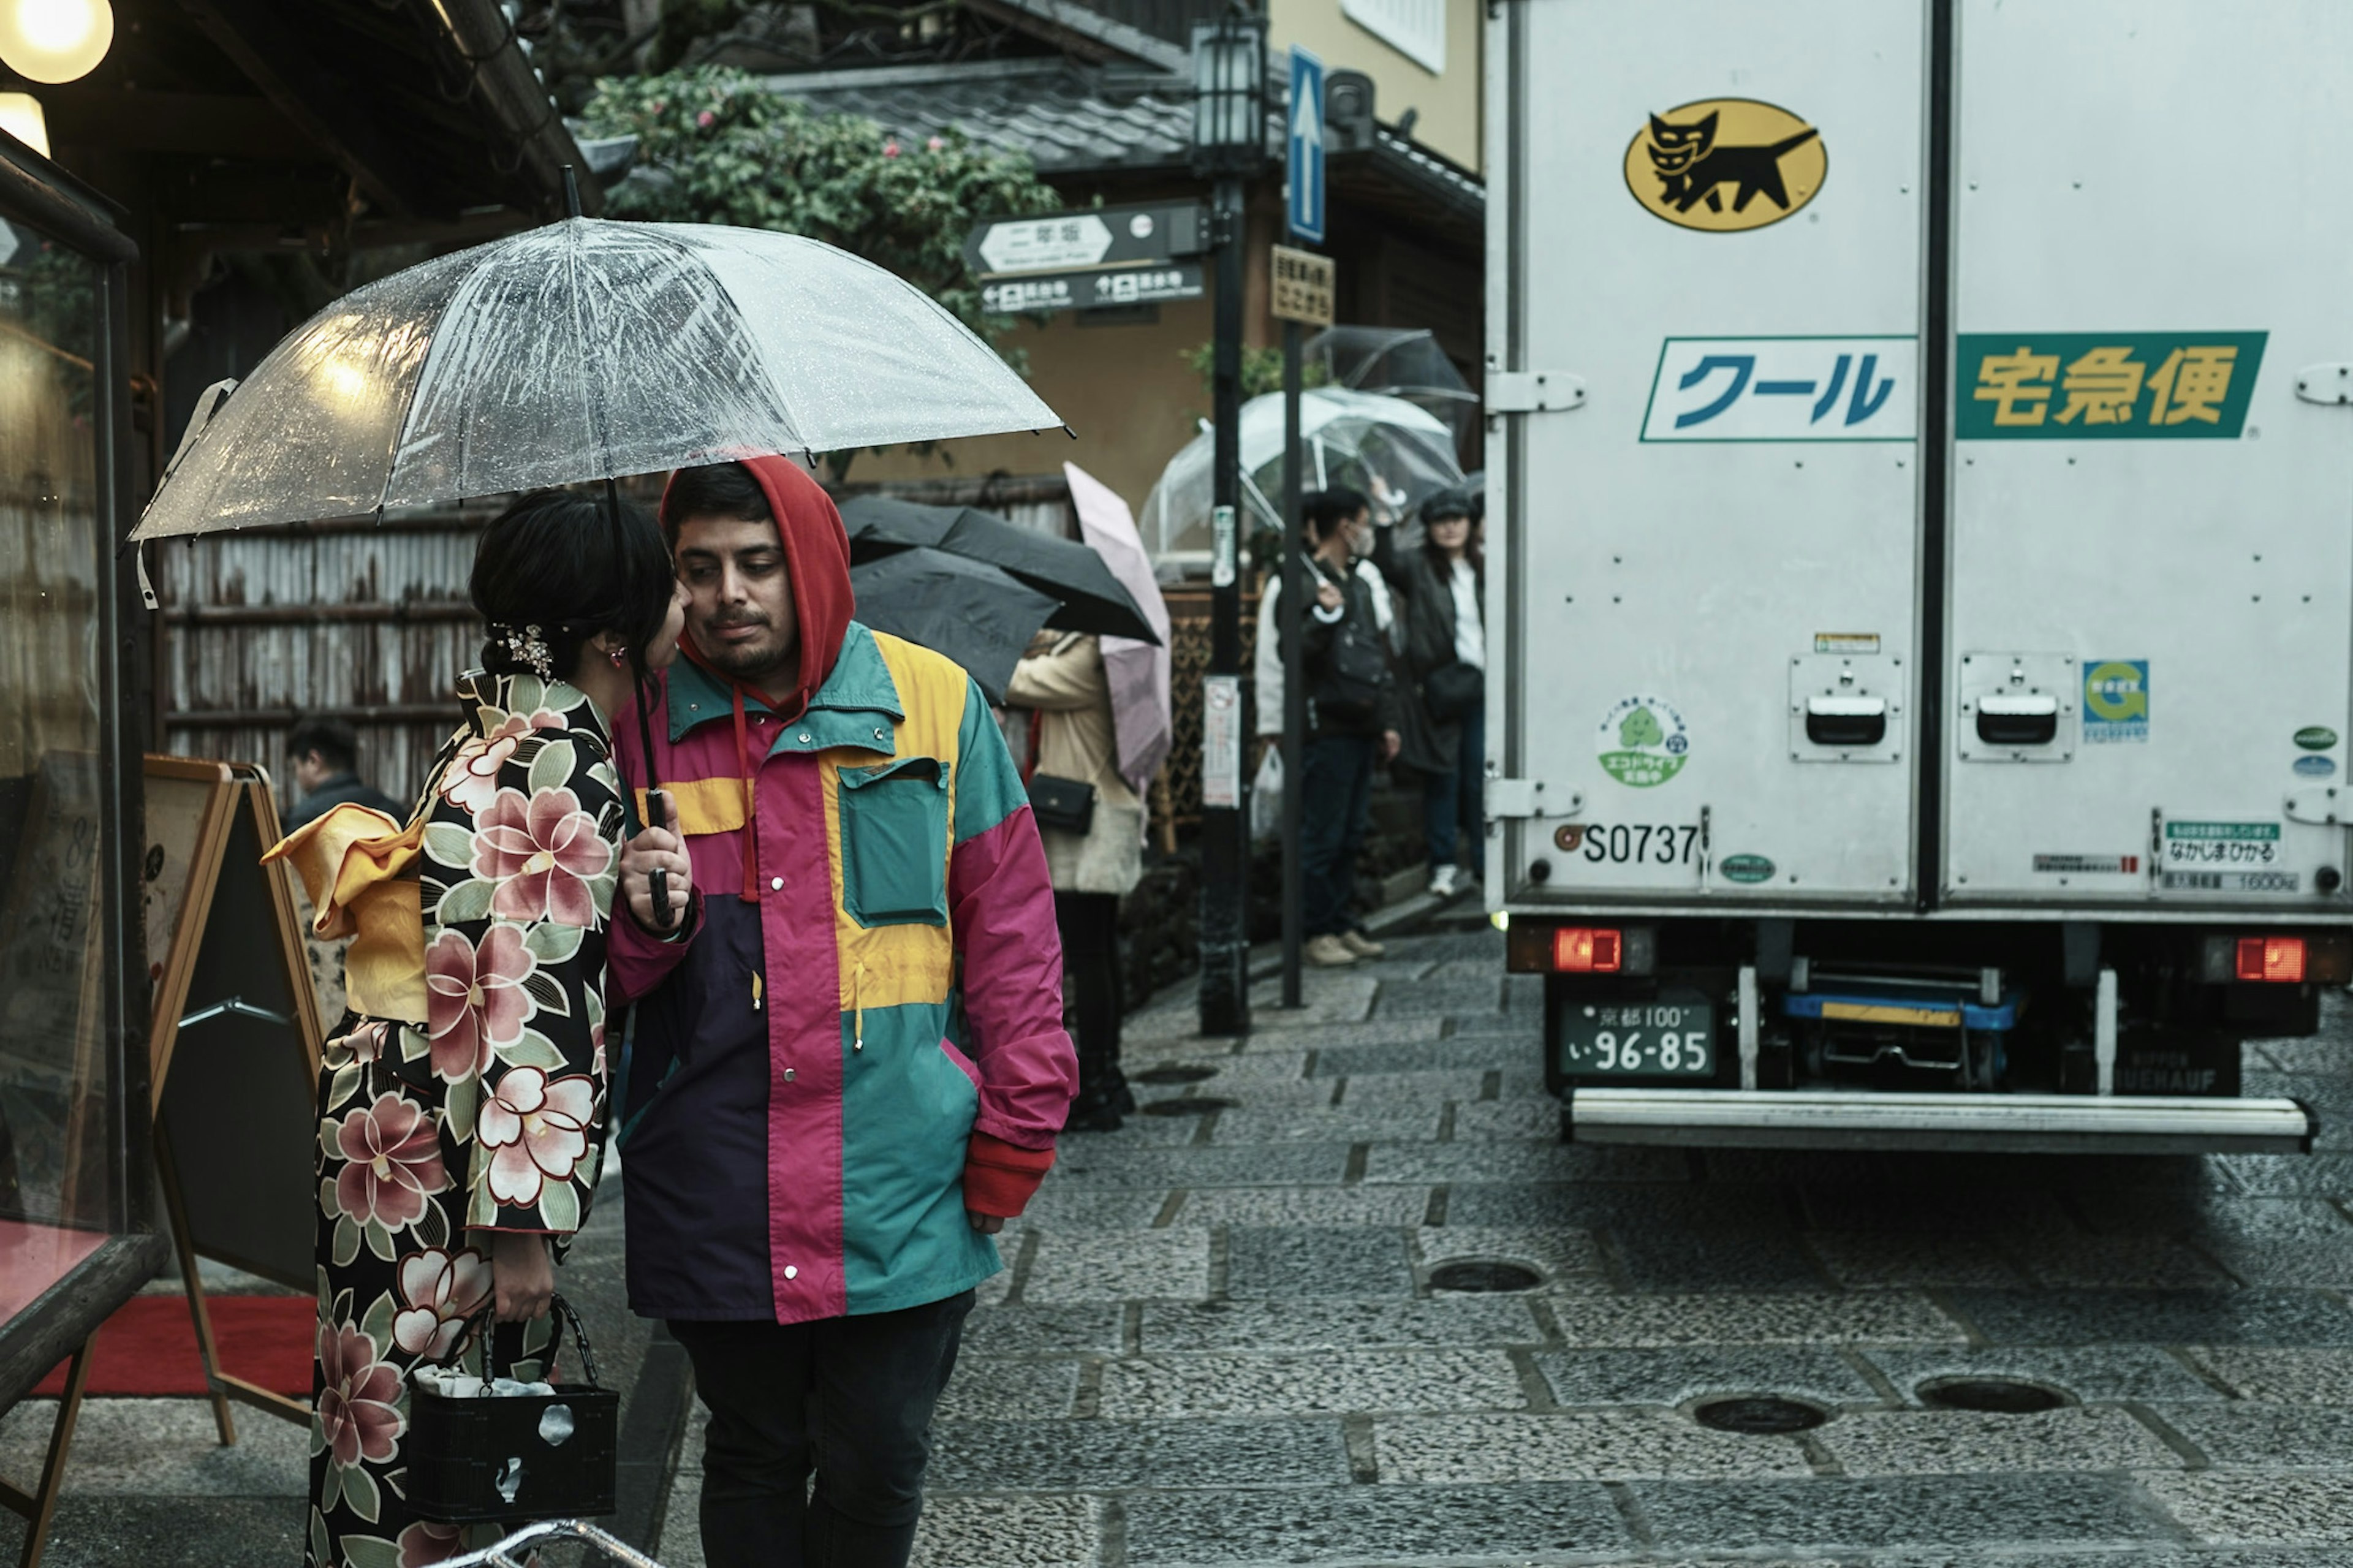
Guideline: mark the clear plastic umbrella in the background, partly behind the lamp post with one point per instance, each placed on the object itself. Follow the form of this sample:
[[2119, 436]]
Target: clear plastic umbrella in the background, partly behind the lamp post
[[1389, 449]]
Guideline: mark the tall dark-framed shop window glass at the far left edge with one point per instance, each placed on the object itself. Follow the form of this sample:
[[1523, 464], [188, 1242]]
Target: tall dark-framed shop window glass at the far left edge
[[55, 1127]]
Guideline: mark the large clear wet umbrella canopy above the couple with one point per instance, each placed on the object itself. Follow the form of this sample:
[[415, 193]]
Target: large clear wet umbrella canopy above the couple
[[578, 352]]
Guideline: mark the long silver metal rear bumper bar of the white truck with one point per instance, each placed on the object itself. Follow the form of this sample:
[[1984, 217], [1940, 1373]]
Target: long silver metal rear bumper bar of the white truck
[[2008, 1124]]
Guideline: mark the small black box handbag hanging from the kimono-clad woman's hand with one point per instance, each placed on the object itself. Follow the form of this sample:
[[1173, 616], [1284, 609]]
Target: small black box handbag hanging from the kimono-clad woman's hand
[[516, 1456]]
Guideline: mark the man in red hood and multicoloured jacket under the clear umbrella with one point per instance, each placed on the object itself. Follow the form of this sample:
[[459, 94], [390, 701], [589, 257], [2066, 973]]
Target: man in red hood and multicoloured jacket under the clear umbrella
[[851, 1063]]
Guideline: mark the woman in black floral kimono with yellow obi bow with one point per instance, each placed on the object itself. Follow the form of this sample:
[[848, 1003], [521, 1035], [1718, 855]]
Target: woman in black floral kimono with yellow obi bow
[[462, 1103]]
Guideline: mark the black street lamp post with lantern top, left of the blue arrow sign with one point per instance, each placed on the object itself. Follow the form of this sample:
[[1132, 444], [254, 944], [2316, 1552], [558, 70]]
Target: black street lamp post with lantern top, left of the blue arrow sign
[[1229, 145]]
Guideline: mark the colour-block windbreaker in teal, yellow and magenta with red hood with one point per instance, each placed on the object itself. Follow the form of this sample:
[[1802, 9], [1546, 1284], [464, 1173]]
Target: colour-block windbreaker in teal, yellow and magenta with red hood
[[860, 1035]]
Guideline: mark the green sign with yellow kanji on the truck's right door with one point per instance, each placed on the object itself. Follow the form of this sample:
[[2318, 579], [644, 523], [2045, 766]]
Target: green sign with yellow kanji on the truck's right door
[[2105, 385]]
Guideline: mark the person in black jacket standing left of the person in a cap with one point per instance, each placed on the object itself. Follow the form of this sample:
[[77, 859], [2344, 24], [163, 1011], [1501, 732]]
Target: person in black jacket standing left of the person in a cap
[[1352, 724]]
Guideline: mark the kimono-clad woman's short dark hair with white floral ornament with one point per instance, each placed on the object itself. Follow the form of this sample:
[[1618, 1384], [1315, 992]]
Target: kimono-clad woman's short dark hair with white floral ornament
[[571, 566]]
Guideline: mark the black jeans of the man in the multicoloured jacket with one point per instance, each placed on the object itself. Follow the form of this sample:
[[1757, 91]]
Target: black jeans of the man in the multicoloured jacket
[[844, 1397]]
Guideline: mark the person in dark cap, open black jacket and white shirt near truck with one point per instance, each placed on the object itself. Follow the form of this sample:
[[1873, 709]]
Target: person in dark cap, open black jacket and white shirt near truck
[[1446, 665]]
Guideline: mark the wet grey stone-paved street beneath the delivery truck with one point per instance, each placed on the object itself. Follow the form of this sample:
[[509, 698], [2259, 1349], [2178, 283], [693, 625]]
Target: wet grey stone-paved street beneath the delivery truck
[[1222, 1338]]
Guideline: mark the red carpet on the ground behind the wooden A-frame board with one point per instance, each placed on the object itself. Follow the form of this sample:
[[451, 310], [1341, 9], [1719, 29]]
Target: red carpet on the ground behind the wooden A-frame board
[[149, 1346]]
